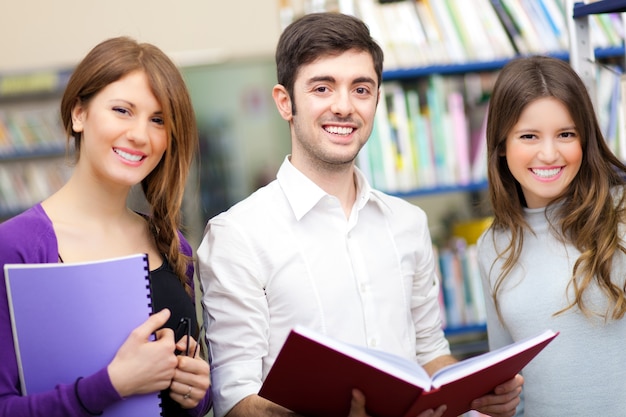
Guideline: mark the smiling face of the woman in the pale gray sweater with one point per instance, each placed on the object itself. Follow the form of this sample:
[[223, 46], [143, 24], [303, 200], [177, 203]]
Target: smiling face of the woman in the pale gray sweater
[[543, 151]]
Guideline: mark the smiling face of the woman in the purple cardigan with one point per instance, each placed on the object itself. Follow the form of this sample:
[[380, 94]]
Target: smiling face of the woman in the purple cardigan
[[123, 134]]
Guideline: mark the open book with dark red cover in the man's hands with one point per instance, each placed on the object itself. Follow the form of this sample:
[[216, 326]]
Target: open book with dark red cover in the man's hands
[[314, 375]]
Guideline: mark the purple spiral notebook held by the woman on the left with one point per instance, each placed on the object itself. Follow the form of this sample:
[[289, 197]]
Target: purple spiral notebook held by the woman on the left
[[69, 320]]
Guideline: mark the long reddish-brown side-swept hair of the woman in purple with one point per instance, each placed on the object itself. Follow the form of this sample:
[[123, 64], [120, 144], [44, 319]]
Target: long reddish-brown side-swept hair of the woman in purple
[[164, 187]]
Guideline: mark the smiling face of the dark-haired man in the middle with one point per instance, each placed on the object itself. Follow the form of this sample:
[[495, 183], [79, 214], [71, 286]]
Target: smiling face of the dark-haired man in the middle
[[335, 97]]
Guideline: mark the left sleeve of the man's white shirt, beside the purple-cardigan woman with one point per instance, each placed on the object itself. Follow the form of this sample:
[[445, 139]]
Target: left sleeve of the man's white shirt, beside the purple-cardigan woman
[[229, 272]]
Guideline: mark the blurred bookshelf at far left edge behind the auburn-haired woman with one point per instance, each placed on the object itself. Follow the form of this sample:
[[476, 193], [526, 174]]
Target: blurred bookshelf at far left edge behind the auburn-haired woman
[[33, 160]]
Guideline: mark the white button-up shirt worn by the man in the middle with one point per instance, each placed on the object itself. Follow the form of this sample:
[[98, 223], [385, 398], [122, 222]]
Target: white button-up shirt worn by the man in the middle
[[287, 255]]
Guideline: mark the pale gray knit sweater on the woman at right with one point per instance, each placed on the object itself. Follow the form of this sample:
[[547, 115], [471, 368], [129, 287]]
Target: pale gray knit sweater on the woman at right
[[583, 371]]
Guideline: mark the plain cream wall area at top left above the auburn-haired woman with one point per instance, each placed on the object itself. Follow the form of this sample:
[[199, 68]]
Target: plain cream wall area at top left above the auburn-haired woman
[[43, 34]]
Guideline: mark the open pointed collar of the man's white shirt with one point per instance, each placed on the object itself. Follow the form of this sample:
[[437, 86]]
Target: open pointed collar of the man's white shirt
[[303, 194]]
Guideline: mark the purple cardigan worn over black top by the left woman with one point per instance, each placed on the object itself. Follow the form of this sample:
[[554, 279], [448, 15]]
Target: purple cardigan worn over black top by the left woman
[[30, 238]]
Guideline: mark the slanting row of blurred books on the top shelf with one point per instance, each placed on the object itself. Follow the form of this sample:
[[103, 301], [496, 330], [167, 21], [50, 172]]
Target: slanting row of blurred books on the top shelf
[[418, 33]]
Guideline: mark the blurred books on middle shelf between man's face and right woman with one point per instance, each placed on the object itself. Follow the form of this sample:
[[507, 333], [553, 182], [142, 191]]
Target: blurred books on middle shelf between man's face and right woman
[[429, 134]]
